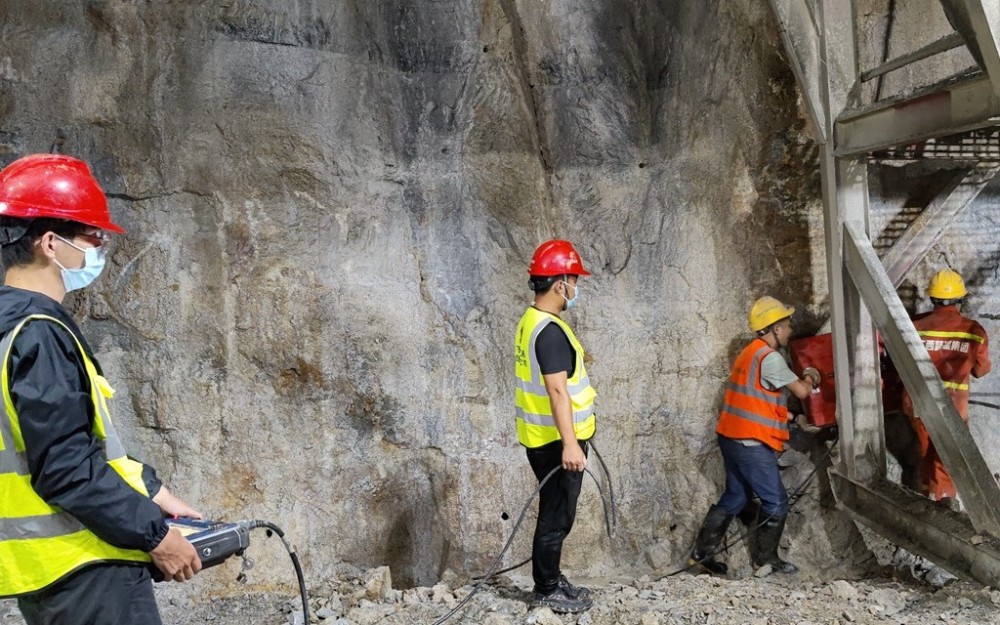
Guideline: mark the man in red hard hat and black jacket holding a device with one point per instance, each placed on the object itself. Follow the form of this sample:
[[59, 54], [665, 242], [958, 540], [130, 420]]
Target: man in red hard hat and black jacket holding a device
[[80, 521]]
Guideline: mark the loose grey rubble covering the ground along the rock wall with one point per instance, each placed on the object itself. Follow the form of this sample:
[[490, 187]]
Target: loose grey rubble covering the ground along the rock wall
[[367, 598]]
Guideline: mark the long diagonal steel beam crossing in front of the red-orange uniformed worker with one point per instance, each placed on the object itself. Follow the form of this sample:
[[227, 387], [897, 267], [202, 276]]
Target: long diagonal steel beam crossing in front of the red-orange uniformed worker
[[950, 434]]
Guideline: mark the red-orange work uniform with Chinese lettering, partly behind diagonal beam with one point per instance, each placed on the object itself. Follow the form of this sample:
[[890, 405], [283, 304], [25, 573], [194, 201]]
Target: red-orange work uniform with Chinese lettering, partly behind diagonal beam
[[959, 348]]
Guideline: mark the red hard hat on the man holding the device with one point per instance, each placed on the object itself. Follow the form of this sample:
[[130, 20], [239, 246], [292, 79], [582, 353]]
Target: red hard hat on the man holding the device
[[54, 186]]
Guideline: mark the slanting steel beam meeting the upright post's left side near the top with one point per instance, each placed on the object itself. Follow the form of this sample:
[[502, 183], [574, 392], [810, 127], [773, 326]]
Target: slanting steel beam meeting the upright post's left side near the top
[[802, 47]]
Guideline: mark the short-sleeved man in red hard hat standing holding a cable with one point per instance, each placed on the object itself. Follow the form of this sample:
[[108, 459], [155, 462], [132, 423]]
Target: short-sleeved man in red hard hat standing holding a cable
[[555, 415]]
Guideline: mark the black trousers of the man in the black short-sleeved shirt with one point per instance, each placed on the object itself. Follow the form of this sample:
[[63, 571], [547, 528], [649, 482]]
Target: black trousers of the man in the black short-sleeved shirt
[[556, 513]]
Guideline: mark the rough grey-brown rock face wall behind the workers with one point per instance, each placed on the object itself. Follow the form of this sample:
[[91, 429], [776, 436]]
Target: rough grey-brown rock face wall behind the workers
[[330, 210]]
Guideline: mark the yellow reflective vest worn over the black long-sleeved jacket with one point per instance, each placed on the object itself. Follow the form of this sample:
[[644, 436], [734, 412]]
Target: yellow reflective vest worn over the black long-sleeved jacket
[[40, 544]]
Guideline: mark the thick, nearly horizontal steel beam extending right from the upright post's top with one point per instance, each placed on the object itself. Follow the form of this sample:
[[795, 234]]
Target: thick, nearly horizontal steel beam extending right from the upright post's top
[[949, 110]]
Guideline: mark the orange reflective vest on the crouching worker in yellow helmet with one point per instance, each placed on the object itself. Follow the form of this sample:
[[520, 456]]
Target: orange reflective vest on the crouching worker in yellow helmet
[[749, 410]]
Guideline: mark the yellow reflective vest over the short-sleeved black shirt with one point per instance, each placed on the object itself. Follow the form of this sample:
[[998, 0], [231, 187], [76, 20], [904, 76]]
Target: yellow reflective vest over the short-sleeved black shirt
[[535, 424]]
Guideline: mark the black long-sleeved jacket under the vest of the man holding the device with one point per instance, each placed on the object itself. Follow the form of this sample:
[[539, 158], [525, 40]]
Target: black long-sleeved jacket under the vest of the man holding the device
[[51, 393]]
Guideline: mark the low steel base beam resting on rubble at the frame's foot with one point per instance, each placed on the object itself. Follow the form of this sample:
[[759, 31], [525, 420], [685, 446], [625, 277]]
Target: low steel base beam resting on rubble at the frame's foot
[[918, 525]]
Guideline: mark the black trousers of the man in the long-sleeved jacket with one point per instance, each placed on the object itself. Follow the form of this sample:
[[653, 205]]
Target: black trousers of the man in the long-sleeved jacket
[[104, 594]]
